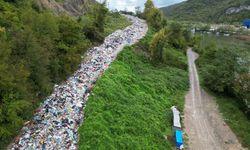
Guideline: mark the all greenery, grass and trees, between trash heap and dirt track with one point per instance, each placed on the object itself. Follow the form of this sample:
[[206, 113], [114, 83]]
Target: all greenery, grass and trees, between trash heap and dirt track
[[129, 107]]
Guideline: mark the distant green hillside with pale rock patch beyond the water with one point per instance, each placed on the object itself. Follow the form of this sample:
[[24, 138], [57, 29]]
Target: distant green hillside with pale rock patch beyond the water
[[215, 11]]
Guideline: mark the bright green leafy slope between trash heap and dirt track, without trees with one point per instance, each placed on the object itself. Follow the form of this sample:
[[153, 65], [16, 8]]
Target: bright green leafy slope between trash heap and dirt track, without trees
[[129, 107]]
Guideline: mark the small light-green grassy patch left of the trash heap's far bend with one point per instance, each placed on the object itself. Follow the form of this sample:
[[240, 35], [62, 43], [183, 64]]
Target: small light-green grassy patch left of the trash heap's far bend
[[114, 22]]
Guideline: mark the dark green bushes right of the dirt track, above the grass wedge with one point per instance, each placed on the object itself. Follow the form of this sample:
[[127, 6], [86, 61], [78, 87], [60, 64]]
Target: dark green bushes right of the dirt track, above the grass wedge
[[226, 70]]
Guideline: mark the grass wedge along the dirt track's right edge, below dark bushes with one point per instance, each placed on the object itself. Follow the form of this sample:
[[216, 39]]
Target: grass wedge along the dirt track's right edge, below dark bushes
[[235, 118]]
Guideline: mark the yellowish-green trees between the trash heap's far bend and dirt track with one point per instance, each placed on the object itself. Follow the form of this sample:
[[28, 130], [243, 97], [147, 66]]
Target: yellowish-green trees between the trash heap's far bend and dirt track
[[169, 39]]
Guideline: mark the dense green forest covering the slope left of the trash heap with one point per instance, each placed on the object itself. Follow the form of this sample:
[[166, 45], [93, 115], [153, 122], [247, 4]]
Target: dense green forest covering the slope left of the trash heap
[[39, 49]]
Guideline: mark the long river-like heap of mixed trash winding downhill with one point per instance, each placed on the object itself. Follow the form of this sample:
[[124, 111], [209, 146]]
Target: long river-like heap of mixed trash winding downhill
[[56, 121]]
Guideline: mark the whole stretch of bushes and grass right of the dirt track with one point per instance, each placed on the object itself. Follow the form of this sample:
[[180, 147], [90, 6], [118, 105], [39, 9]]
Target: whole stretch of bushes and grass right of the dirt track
[[224, 69]]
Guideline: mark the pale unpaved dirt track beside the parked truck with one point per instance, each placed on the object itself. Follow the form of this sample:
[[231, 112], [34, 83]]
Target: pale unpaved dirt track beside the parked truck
[[204, 124]]
